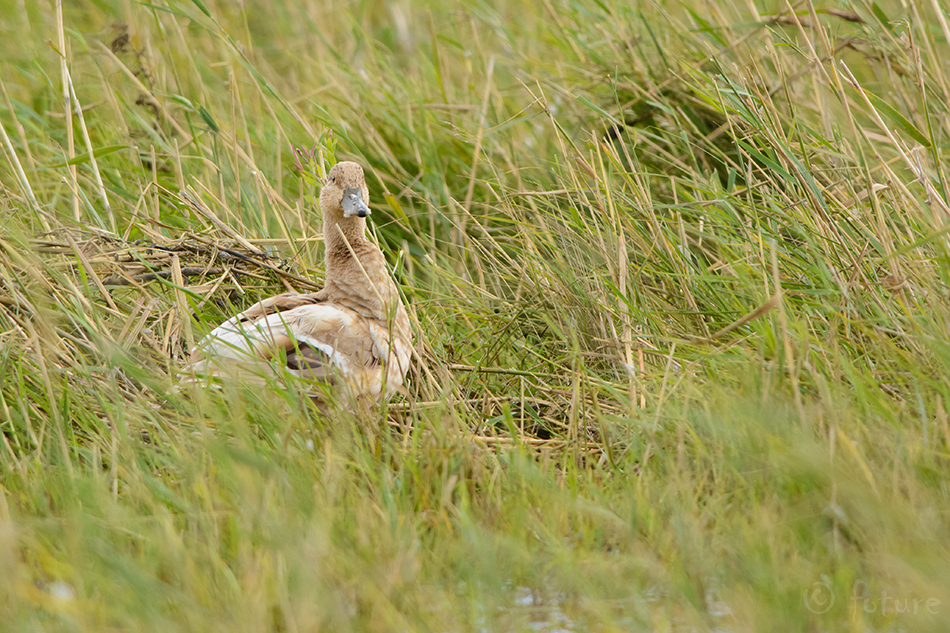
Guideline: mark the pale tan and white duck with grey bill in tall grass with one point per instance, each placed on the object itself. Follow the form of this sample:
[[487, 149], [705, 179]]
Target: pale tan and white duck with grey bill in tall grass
[[353, 336]]
